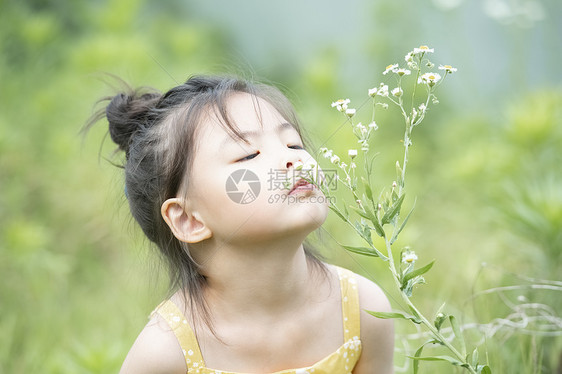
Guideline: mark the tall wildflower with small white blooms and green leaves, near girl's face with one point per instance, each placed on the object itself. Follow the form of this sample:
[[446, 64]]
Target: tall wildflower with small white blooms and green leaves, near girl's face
[[382, 214]]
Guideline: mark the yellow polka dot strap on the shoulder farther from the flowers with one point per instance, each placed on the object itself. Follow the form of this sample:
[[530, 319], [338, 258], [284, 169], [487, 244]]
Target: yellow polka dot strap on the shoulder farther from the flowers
[[184, 333]]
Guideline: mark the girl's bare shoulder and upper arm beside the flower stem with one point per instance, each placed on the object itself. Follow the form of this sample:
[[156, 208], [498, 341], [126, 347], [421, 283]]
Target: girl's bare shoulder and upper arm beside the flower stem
[[377, 335]]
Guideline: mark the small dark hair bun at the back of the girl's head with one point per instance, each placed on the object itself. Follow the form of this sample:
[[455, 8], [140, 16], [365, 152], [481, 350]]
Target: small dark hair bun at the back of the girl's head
[[129, 112]]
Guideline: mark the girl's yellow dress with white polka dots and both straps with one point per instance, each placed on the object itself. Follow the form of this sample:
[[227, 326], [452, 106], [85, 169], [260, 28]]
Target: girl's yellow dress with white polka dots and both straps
[[342, 361]]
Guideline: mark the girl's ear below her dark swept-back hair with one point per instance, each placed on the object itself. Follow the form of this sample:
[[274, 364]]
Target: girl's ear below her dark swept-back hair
[[187, 226]]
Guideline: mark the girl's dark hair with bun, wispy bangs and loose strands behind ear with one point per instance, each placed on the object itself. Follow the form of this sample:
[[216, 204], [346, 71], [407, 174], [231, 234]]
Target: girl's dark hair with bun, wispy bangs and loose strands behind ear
[[157, 131]]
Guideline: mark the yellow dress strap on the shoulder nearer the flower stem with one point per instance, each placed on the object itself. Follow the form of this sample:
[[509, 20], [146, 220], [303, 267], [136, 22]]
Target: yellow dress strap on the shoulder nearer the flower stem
[[350, 304]]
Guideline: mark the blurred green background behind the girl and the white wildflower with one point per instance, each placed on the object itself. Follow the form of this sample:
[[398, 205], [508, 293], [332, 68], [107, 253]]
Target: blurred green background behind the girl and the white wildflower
[[78, 279]]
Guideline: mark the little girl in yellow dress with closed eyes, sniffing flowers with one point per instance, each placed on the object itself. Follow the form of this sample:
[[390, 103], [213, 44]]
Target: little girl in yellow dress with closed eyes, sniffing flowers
[[248, 296]]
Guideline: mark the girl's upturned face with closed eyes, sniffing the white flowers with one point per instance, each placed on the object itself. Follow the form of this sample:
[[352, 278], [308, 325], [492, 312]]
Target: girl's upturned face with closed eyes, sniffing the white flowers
[[249, 191]]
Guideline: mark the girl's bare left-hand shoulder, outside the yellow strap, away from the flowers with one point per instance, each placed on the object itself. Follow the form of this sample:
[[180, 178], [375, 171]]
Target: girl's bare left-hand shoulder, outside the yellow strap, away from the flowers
[[156, 351]]
